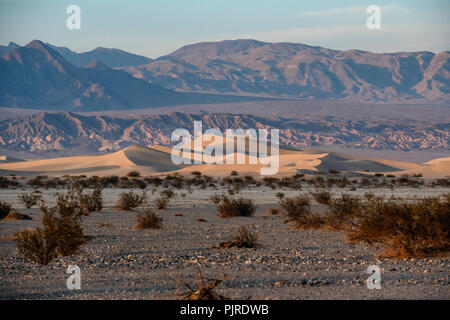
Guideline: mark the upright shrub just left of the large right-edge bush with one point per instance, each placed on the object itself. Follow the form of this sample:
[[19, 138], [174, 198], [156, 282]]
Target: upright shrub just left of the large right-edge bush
[[342, 212]]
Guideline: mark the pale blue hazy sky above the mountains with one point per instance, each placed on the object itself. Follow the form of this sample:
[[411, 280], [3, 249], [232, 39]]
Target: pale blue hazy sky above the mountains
[[157, 27]]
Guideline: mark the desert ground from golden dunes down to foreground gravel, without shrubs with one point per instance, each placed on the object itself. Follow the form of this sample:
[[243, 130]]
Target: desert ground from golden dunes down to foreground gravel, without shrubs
[[121, 262]]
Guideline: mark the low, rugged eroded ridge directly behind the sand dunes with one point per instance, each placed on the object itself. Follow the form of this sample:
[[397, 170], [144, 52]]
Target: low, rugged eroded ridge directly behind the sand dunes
[[43, 132]]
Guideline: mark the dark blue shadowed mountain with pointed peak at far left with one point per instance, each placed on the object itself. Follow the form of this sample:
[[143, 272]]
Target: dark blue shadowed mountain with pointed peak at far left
[[36, 76]]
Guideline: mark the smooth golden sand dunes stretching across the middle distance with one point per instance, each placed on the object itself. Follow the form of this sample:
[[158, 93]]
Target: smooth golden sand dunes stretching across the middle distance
[[157, 160]]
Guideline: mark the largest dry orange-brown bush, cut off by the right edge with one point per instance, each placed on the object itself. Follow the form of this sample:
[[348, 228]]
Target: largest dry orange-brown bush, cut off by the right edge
[[405, 229]]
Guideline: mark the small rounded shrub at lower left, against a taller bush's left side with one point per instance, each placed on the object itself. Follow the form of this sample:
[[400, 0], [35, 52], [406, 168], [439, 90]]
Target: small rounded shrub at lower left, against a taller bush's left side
[[35, 246]]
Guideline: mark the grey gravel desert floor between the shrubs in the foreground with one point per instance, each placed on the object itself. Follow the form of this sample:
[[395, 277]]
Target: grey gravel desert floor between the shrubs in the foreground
[[120, 262]]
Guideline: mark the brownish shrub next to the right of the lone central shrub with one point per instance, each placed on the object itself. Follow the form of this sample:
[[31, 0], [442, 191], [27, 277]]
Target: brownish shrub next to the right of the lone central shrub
[[298, 211]]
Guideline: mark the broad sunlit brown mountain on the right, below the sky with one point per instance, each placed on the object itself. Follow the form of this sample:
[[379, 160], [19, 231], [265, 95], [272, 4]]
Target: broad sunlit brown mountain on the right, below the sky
[[298, 70]]
